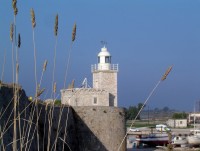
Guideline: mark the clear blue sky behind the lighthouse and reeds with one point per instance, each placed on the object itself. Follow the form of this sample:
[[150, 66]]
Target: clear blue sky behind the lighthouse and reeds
[[144, 38]]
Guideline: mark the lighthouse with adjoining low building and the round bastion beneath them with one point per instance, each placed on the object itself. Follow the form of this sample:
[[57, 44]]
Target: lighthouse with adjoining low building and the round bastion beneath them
[[96, 107]]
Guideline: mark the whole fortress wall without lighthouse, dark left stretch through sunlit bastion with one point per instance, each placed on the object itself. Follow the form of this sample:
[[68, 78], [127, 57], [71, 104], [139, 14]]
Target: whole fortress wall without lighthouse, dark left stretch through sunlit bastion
[[88, 128]]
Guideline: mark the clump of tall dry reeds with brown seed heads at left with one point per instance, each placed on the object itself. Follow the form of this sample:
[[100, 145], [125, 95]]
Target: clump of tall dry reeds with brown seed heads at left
[[24, 121]]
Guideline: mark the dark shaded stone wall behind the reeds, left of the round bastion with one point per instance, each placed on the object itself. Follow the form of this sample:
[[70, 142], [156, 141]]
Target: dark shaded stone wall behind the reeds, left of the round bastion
[[28, 129]]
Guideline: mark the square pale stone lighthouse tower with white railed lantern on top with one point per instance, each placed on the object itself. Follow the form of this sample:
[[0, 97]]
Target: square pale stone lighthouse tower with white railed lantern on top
[[105, 75]]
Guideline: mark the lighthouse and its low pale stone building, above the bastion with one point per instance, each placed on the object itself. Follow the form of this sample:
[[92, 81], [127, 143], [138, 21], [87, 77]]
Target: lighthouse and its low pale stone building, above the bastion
[[104, 91]]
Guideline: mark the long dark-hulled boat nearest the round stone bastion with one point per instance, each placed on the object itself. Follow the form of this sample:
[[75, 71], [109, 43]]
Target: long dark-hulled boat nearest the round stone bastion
[[157, 139]]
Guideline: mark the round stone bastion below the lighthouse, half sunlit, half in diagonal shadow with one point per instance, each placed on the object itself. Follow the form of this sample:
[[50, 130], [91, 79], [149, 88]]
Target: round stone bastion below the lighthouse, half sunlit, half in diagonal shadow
[[100, 128]]
